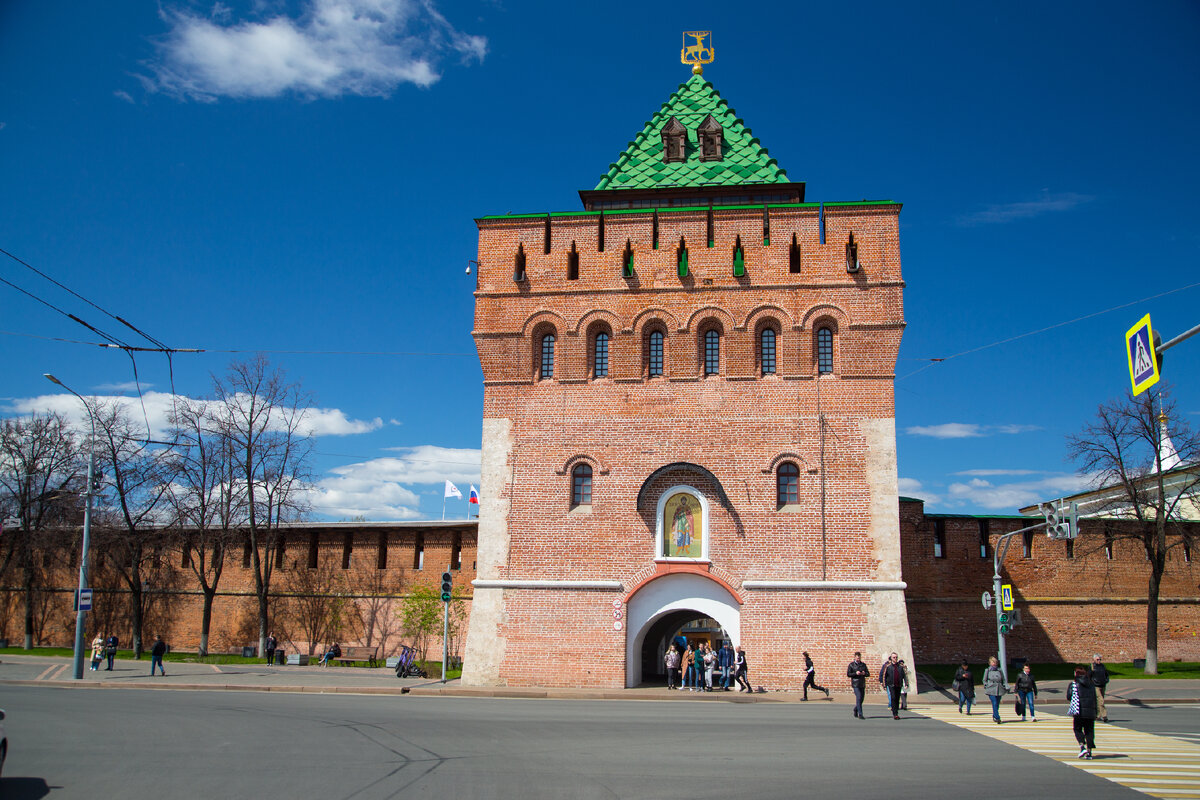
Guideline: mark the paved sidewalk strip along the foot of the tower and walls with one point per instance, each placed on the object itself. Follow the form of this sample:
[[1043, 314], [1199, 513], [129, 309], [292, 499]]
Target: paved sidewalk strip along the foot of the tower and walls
[[43, 671]]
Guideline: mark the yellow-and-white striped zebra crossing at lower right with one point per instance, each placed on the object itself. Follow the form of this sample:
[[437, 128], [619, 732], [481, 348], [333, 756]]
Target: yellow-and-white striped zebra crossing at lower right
[[1159, 766]]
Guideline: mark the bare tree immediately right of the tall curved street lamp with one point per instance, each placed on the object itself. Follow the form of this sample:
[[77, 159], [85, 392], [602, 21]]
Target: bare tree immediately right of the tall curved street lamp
[[131, 515]]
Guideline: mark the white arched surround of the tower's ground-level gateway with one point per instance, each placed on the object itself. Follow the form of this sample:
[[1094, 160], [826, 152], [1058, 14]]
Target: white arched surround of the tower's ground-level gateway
[[673, 593]]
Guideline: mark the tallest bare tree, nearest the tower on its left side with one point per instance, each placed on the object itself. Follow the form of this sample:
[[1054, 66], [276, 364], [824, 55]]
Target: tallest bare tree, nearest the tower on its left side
[[262, 416]]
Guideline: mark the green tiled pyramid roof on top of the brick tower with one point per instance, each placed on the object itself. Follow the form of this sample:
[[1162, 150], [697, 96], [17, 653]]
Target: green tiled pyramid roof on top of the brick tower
[[745, 161]]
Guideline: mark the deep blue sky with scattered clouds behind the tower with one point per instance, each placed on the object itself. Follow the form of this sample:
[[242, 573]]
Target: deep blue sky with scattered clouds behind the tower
[[302, 179]]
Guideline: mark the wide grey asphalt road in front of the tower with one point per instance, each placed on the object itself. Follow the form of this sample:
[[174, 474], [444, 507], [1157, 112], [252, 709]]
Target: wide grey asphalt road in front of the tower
[[197, 744]]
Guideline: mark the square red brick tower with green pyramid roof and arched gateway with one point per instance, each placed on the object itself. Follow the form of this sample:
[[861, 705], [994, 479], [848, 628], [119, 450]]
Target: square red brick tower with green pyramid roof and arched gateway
[[689, 425]]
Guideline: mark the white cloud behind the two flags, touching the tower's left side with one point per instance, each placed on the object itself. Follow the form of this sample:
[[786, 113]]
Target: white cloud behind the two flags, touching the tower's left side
[[380, 489]]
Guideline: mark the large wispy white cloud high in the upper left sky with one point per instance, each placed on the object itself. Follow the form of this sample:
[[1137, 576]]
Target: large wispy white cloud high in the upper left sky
[[332, 49]]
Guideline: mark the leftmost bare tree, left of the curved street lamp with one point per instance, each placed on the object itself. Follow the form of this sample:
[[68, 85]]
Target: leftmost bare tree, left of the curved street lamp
[[40, 478]]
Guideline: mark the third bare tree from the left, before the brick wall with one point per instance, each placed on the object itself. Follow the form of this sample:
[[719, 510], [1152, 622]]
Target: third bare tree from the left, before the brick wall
[[207, 501]]
